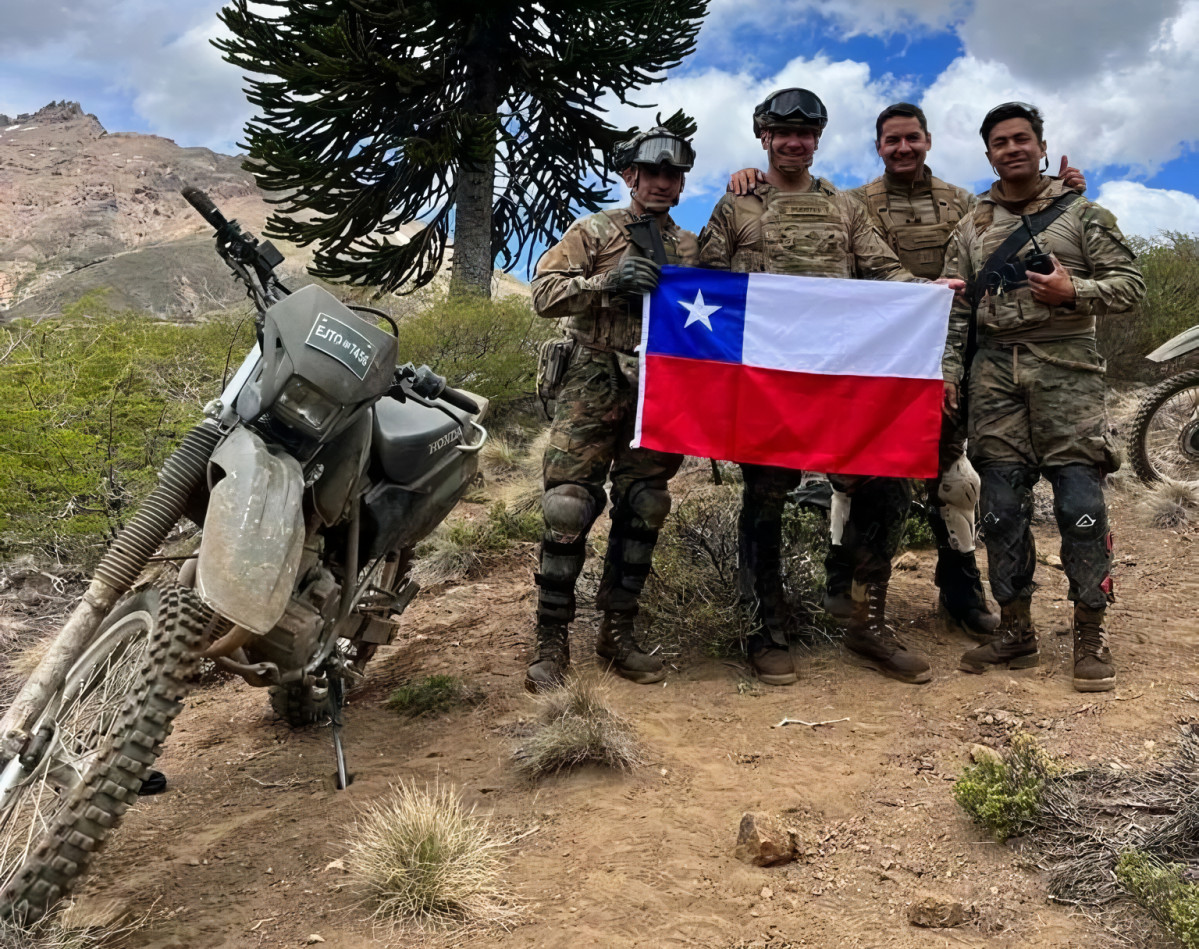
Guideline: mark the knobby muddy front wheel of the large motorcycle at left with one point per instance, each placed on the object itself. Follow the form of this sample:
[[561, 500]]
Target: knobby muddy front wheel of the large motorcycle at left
[[94, 747]]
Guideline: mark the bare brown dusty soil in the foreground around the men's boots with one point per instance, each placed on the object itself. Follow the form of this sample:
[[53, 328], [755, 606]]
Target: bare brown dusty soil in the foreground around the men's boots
[[238, 852]]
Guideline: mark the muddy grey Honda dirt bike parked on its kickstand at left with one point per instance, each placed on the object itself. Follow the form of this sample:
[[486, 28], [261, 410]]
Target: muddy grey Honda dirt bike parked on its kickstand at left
[[312, 478]]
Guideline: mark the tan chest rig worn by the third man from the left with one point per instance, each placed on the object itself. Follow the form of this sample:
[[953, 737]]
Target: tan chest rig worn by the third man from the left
[[919, 247]]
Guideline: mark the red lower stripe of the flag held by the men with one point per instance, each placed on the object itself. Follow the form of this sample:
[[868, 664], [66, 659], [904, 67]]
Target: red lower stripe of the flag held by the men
[[864, 425]]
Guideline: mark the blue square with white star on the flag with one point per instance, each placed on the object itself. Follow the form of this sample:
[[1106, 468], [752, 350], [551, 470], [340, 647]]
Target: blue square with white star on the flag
[[698, 315]]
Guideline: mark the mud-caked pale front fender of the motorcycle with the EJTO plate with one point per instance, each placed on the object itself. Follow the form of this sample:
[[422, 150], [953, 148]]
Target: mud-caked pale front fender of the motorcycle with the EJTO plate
[[254, 532]]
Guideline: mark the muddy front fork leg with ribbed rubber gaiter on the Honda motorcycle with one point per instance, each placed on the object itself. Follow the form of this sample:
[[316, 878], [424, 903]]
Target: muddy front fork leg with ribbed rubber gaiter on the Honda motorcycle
[[183, 473]]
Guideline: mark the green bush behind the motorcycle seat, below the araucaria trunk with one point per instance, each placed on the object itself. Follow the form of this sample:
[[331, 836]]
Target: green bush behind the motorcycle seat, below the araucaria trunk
[[486, 346]]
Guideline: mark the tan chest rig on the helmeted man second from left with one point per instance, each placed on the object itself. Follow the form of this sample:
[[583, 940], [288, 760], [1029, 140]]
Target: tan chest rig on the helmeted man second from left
[[804, 233]]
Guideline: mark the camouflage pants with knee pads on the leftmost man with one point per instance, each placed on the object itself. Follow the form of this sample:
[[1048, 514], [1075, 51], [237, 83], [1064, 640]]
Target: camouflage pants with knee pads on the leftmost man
[[589, 443]]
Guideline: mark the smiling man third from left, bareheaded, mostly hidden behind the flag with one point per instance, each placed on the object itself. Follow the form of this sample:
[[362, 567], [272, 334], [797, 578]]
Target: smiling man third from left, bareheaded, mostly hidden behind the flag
[[917, 213]]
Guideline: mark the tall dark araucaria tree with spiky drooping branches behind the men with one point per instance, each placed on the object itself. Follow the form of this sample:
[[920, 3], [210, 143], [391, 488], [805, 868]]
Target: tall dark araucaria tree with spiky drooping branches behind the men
[[378, 113]]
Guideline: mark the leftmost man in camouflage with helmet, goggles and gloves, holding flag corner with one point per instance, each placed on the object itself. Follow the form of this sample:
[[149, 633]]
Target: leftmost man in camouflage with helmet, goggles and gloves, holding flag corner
[[595, 278]]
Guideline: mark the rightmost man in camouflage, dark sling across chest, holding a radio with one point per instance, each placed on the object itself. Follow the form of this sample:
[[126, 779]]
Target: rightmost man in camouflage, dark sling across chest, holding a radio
[[1035, 385]]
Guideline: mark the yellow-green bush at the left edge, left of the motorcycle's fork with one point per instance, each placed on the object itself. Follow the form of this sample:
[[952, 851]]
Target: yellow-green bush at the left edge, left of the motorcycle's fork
[[92, 404]]
